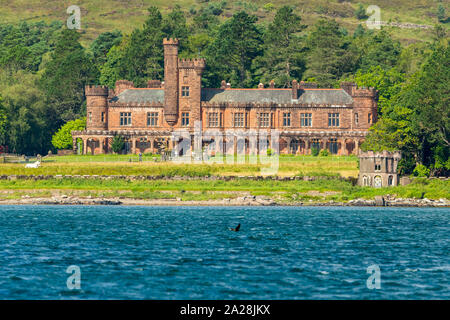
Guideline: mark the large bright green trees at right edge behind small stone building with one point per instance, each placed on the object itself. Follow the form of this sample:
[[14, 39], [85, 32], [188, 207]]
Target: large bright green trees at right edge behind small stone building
[[415, 119]]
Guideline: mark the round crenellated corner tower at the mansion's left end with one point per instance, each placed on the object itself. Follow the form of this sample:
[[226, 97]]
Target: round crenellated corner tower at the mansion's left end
[[96, 107]]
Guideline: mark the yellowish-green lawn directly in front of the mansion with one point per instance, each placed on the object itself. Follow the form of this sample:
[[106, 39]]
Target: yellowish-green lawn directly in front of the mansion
[[120, 165]]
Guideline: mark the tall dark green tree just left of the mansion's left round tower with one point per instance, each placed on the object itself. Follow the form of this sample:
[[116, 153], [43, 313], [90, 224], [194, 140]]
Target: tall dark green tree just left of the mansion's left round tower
[[65, 77]]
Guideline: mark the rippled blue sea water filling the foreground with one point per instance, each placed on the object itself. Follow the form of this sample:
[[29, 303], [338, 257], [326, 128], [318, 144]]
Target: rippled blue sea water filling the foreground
[[190, 253]]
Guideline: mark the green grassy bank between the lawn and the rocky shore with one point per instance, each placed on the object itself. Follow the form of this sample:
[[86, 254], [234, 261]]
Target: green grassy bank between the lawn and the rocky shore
[[282, 191]]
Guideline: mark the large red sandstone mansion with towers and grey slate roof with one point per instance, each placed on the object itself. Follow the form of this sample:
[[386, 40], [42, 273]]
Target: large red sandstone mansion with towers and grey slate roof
[[305, 116]]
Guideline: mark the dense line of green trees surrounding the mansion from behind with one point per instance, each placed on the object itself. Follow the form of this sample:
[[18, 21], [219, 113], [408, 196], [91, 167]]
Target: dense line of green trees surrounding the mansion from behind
[[43, 70]]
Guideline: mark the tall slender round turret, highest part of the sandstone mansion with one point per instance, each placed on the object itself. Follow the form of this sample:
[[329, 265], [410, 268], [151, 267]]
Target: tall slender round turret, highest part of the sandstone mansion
[[170, 80]]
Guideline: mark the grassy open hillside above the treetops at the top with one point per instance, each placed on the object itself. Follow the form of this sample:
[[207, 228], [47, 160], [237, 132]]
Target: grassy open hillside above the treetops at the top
[[105, 15]]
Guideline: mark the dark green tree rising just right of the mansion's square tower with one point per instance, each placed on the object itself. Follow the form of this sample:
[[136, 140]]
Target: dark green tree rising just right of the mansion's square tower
[[237, 43]]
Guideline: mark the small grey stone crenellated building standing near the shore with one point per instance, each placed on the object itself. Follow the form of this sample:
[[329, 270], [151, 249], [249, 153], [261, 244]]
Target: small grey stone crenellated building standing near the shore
[[378, 169]]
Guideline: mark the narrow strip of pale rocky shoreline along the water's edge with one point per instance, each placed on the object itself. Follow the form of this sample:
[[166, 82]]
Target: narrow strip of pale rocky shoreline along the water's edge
[[241, 201]]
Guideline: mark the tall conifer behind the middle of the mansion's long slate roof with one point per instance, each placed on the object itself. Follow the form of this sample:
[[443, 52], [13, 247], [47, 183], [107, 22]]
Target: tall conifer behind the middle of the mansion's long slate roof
[[283, 51]]
